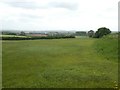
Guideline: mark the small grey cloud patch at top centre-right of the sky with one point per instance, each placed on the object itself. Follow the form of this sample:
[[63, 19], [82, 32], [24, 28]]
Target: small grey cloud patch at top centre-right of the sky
[[66, 5]]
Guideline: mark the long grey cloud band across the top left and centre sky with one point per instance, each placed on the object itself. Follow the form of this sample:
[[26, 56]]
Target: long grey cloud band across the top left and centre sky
[[33, 5]]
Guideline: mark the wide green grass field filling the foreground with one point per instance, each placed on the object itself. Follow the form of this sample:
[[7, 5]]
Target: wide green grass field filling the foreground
[[59, 63]]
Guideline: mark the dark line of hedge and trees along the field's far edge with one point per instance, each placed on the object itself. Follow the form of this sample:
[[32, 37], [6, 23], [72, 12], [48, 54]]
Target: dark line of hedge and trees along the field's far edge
[[98, 34]]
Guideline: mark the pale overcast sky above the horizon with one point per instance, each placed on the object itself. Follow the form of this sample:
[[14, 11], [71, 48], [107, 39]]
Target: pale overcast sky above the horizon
[[83, 15]]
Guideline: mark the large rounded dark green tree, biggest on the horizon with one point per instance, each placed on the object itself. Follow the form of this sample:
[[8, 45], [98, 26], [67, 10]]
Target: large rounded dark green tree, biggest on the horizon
[[101, 32]]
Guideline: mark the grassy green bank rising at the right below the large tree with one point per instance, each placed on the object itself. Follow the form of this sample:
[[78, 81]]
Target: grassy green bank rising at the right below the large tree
[[108, 47]]
